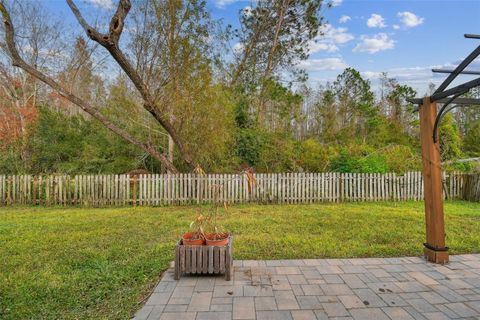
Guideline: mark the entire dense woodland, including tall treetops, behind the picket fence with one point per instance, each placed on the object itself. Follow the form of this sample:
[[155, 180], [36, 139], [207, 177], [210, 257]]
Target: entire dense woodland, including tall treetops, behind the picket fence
[[250, 107]]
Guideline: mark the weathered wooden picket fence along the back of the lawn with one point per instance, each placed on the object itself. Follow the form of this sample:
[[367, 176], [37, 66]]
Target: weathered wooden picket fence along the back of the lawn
[[165, 189]]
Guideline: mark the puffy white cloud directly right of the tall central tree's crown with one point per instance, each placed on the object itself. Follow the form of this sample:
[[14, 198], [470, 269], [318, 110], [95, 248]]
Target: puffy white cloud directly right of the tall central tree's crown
[[329, 38]]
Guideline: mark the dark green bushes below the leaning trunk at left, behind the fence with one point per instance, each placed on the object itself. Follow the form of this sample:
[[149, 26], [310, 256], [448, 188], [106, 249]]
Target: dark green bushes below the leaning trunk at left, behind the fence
[[72, 144]]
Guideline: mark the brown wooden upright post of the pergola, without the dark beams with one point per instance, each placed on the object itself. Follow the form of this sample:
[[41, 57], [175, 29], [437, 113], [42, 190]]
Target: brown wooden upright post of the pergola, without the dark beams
[[435, 250]]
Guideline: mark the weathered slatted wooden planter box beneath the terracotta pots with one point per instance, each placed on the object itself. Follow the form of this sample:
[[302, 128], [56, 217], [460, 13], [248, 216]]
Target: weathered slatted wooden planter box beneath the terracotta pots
[[204, 260]]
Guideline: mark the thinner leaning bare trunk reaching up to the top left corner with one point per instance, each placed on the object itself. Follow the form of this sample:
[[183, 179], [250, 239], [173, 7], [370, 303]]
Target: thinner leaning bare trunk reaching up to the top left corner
[[17, 61]]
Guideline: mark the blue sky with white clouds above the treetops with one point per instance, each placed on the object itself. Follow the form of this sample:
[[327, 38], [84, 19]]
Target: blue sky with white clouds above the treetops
[[405, 38]]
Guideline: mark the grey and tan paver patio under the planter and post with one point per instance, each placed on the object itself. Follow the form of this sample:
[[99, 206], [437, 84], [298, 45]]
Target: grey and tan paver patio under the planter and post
[[373, 288]]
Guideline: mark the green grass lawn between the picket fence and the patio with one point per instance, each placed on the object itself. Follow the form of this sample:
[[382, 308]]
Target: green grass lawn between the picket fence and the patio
[[58, 263]]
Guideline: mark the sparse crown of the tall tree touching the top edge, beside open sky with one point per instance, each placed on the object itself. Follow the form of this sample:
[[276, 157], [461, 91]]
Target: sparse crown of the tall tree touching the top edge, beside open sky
[[275, 45]]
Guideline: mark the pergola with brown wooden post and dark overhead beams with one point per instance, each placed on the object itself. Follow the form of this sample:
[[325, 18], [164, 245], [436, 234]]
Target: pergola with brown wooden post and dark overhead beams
[[435, 249]]
